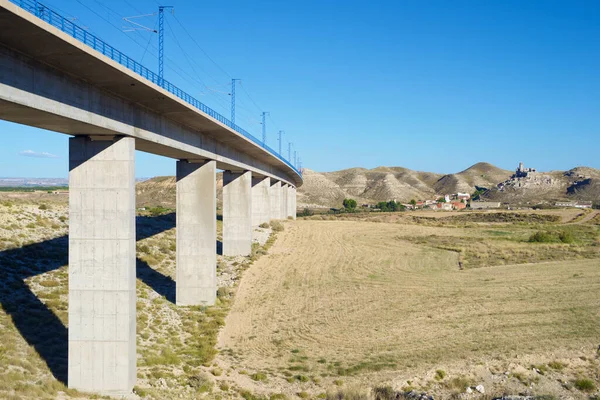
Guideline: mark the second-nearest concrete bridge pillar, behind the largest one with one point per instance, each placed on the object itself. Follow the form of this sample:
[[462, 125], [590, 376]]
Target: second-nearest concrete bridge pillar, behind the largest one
[[196, 271]]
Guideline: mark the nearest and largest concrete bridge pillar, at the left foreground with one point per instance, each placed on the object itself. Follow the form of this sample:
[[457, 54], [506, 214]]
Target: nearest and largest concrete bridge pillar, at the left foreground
[[102, 349]]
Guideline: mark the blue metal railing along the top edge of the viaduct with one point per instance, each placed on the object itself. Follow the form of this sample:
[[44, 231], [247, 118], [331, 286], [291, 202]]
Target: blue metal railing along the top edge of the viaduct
[[65, 25]]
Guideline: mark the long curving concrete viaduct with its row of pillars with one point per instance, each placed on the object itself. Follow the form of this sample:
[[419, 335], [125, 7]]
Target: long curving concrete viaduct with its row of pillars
[[51, 80]]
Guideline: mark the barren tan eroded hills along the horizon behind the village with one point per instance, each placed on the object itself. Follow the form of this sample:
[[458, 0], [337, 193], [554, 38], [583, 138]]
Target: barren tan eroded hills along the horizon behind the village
[[328, 189]]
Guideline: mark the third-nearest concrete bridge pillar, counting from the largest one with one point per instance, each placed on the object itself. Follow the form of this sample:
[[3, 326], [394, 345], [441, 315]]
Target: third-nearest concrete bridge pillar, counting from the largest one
[[237, 213]]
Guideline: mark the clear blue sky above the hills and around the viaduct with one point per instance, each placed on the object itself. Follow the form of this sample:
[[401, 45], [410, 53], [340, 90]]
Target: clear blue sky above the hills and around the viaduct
[[434, 86]]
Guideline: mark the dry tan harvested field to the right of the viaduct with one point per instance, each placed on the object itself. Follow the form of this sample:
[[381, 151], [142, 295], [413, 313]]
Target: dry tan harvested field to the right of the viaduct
[[346, 302]]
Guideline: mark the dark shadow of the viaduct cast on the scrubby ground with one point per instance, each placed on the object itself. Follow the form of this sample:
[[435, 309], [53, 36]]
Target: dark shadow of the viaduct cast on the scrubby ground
[[36, 323]]
